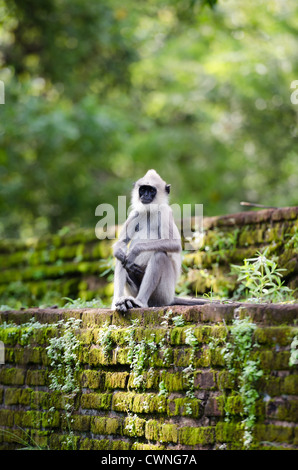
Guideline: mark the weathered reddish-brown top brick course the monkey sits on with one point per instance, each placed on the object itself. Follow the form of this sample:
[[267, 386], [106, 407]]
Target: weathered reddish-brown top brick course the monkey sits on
[[213, 312]]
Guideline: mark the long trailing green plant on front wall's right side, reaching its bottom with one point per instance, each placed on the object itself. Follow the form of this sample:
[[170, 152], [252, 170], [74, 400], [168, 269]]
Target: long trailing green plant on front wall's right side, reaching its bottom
[[237, 354]]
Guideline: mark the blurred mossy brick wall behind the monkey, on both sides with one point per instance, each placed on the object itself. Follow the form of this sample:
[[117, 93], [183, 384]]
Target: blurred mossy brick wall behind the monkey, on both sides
[[75, 264]]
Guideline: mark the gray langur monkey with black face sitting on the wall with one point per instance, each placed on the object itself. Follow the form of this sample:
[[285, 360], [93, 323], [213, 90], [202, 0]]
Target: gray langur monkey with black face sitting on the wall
[[148, 251]]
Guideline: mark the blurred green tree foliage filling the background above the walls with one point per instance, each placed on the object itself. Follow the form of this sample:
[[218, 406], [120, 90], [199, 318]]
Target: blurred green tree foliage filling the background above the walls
[[98, 92]]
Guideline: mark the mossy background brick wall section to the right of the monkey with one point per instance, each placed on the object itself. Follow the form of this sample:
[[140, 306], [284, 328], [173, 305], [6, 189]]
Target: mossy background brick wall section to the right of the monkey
[[232, 238]]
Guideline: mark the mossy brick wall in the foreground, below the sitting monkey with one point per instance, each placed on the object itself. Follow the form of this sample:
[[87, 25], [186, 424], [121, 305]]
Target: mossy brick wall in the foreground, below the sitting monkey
[[111, 413]]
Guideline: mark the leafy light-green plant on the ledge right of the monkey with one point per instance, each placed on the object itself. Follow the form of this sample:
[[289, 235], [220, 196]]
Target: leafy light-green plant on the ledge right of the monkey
[[260, 280]]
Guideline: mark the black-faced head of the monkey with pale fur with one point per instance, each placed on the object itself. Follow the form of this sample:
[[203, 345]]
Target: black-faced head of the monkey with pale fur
[[150, 189]]
